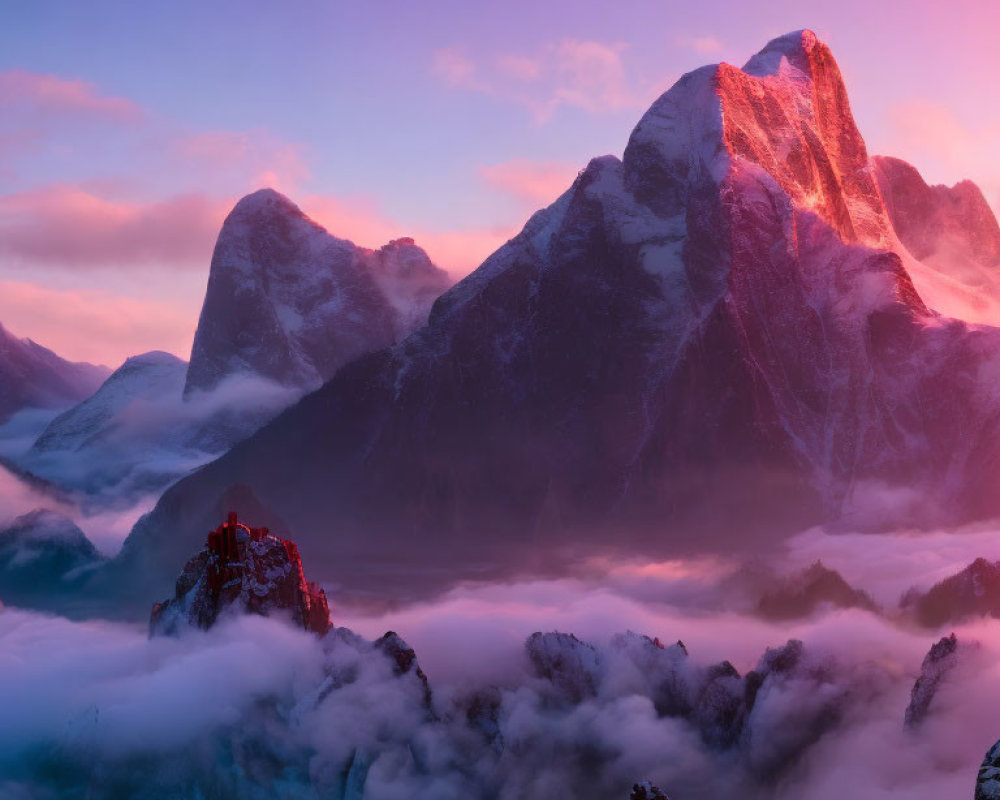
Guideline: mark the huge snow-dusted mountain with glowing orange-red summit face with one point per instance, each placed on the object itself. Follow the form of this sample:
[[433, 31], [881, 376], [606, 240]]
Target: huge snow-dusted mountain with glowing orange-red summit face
[[713, 341]]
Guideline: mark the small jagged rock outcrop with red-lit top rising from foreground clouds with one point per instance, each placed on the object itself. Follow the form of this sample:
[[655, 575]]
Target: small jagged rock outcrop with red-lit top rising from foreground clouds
[[247, 569]]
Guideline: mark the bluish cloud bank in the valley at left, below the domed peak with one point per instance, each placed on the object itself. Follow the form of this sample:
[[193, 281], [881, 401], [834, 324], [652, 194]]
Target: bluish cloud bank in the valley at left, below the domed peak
[[107, 475]]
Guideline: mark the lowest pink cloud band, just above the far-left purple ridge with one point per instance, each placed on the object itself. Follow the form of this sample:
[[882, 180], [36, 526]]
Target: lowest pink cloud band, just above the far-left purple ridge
[[95, 325]]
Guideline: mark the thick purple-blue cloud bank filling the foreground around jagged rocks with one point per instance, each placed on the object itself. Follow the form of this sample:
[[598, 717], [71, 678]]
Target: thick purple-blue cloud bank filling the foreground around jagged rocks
[[255, 708]]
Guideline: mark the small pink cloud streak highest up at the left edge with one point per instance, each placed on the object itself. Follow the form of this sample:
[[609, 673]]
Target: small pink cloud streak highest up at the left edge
[[54, 94]]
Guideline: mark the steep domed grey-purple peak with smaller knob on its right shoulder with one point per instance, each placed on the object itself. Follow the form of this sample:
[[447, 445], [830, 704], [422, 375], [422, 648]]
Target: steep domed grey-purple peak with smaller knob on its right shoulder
[[288, 302]]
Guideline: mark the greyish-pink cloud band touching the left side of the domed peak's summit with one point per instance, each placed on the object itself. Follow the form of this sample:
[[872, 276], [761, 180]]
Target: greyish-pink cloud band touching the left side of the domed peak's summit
[[64, 225]]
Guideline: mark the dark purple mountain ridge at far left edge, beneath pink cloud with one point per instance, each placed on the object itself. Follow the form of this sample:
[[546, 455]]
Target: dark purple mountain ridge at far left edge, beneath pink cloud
[[32, 376]]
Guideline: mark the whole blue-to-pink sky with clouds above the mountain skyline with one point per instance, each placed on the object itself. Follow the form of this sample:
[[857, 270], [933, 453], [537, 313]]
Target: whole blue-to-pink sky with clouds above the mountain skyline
[[128, 130]]
